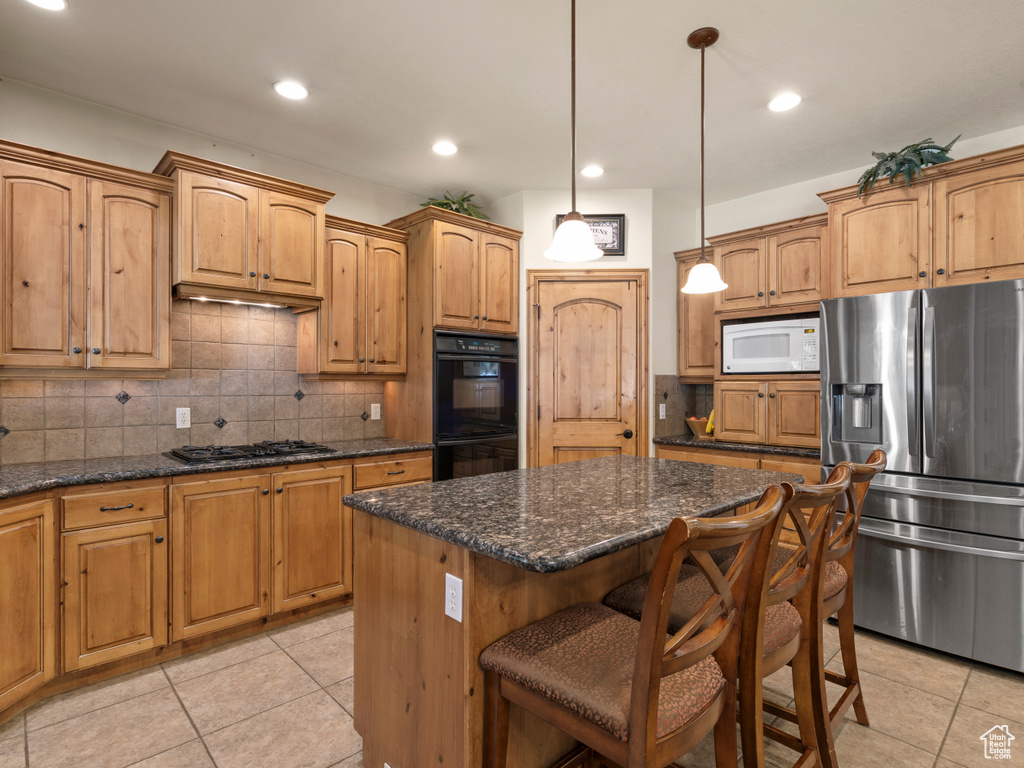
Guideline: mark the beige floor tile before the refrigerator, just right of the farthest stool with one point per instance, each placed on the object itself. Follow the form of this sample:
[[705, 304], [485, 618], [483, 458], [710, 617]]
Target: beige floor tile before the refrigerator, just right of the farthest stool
[[907, 664]]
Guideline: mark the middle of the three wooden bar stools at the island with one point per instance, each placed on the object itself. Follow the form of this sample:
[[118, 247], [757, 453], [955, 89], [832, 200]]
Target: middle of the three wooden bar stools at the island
[[786, 631]]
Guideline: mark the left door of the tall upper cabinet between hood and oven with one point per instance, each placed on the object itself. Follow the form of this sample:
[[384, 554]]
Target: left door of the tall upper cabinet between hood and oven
[[343, 314]]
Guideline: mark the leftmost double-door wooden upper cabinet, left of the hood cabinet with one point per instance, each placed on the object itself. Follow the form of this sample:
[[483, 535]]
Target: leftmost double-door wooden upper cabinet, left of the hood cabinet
[[86, 251]]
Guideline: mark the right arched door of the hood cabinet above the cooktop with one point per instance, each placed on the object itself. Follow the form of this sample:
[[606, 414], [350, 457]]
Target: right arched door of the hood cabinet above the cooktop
[[291, 245]]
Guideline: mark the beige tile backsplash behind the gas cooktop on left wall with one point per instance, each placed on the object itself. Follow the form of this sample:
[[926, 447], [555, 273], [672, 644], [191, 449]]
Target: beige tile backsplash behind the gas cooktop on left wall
[[233, 366]]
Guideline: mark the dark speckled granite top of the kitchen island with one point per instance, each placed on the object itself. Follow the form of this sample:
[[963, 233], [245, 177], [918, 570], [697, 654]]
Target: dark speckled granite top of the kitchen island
[[552, 519]]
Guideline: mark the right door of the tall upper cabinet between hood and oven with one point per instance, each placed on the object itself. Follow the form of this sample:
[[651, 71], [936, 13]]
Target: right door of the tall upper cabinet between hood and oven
[[388, 313]]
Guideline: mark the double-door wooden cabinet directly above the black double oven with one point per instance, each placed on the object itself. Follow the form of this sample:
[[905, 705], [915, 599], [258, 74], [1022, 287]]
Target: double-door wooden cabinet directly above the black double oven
[[467, 269]]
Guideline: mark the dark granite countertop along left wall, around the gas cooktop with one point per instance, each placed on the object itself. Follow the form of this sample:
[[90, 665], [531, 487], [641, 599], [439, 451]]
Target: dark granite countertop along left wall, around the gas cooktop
[[26, 479]]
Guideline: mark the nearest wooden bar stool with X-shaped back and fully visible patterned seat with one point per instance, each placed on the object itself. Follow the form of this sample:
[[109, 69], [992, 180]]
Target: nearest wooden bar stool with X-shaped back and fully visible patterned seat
[[632, 694]]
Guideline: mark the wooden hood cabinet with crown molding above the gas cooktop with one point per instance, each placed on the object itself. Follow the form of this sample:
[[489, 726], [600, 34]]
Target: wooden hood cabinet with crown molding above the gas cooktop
[[241, 233]]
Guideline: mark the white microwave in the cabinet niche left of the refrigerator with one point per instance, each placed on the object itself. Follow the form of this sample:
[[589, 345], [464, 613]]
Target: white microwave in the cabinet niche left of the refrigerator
[[771, 347]]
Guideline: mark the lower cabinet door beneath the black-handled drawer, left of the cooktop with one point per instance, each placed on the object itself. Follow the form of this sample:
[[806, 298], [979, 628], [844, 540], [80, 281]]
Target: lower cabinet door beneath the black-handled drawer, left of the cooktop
[[115, 592]]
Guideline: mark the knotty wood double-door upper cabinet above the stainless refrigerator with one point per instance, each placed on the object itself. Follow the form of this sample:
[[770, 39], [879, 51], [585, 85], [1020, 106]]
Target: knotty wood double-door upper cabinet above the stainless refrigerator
[[960, 223]]
